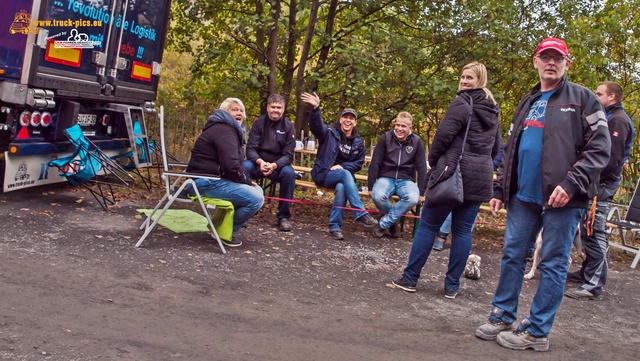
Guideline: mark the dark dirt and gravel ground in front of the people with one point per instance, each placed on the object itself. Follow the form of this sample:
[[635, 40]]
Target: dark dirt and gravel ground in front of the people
[[73, 287]]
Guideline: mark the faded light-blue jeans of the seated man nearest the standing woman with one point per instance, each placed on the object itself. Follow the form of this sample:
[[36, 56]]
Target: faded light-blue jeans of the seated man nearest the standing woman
[[384, 188]]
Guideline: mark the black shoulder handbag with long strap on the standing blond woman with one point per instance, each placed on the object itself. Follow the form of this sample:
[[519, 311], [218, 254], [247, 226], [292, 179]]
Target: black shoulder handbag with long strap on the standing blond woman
[[448, 191]]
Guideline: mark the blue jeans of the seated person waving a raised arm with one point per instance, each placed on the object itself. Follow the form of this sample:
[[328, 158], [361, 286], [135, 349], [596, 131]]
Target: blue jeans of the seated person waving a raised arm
[[346, 189]]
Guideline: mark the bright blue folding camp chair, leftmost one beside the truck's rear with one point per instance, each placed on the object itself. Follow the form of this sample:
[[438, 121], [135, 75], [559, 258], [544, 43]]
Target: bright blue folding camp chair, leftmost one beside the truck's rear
[[91, 168]]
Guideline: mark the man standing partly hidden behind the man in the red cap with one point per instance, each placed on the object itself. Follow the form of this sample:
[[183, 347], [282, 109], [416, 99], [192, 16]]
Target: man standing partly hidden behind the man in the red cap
[[593, 273]]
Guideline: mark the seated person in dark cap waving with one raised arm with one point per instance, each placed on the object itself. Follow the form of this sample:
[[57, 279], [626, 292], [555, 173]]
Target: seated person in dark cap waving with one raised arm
[[341, 154]]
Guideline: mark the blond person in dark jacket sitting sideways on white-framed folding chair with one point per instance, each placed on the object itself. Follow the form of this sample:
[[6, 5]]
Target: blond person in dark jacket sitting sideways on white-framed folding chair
[[218, 151]]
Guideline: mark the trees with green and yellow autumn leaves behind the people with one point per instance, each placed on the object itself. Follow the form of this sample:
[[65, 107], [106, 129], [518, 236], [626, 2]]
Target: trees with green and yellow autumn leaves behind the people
[[383, 57]]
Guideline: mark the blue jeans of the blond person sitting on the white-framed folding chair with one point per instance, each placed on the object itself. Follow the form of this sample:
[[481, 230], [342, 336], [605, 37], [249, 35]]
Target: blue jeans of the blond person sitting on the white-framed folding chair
[[247, 200]]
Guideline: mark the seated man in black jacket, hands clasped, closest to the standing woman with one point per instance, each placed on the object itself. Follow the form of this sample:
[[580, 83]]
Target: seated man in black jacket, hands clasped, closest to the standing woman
[[396, 159]]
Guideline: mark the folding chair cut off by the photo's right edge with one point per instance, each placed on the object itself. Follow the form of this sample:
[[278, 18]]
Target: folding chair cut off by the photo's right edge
[[627, 228]]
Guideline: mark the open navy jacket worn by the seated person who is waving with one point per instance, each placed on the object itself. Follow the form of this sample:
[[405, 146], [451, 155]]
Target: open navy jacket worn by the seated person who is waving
[[329, 141]]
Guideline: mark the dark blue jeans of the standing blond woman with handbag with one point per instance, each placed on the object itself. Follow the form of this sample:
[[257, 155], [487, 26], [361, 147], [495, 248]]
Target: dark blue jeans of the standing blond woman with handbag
[[463, 216]]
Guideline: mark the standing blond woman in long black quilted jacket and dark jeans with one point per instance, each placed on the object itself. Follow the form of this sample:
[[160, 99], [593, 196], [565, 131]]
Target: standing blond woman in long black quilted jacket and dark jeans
[[477, 175]]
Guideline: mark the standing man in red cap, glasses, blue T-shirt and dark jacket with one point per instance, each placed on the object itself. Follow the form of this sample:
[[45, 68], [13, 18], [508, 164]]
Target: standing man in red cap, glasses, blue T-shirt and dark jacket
[[558, 145]]
